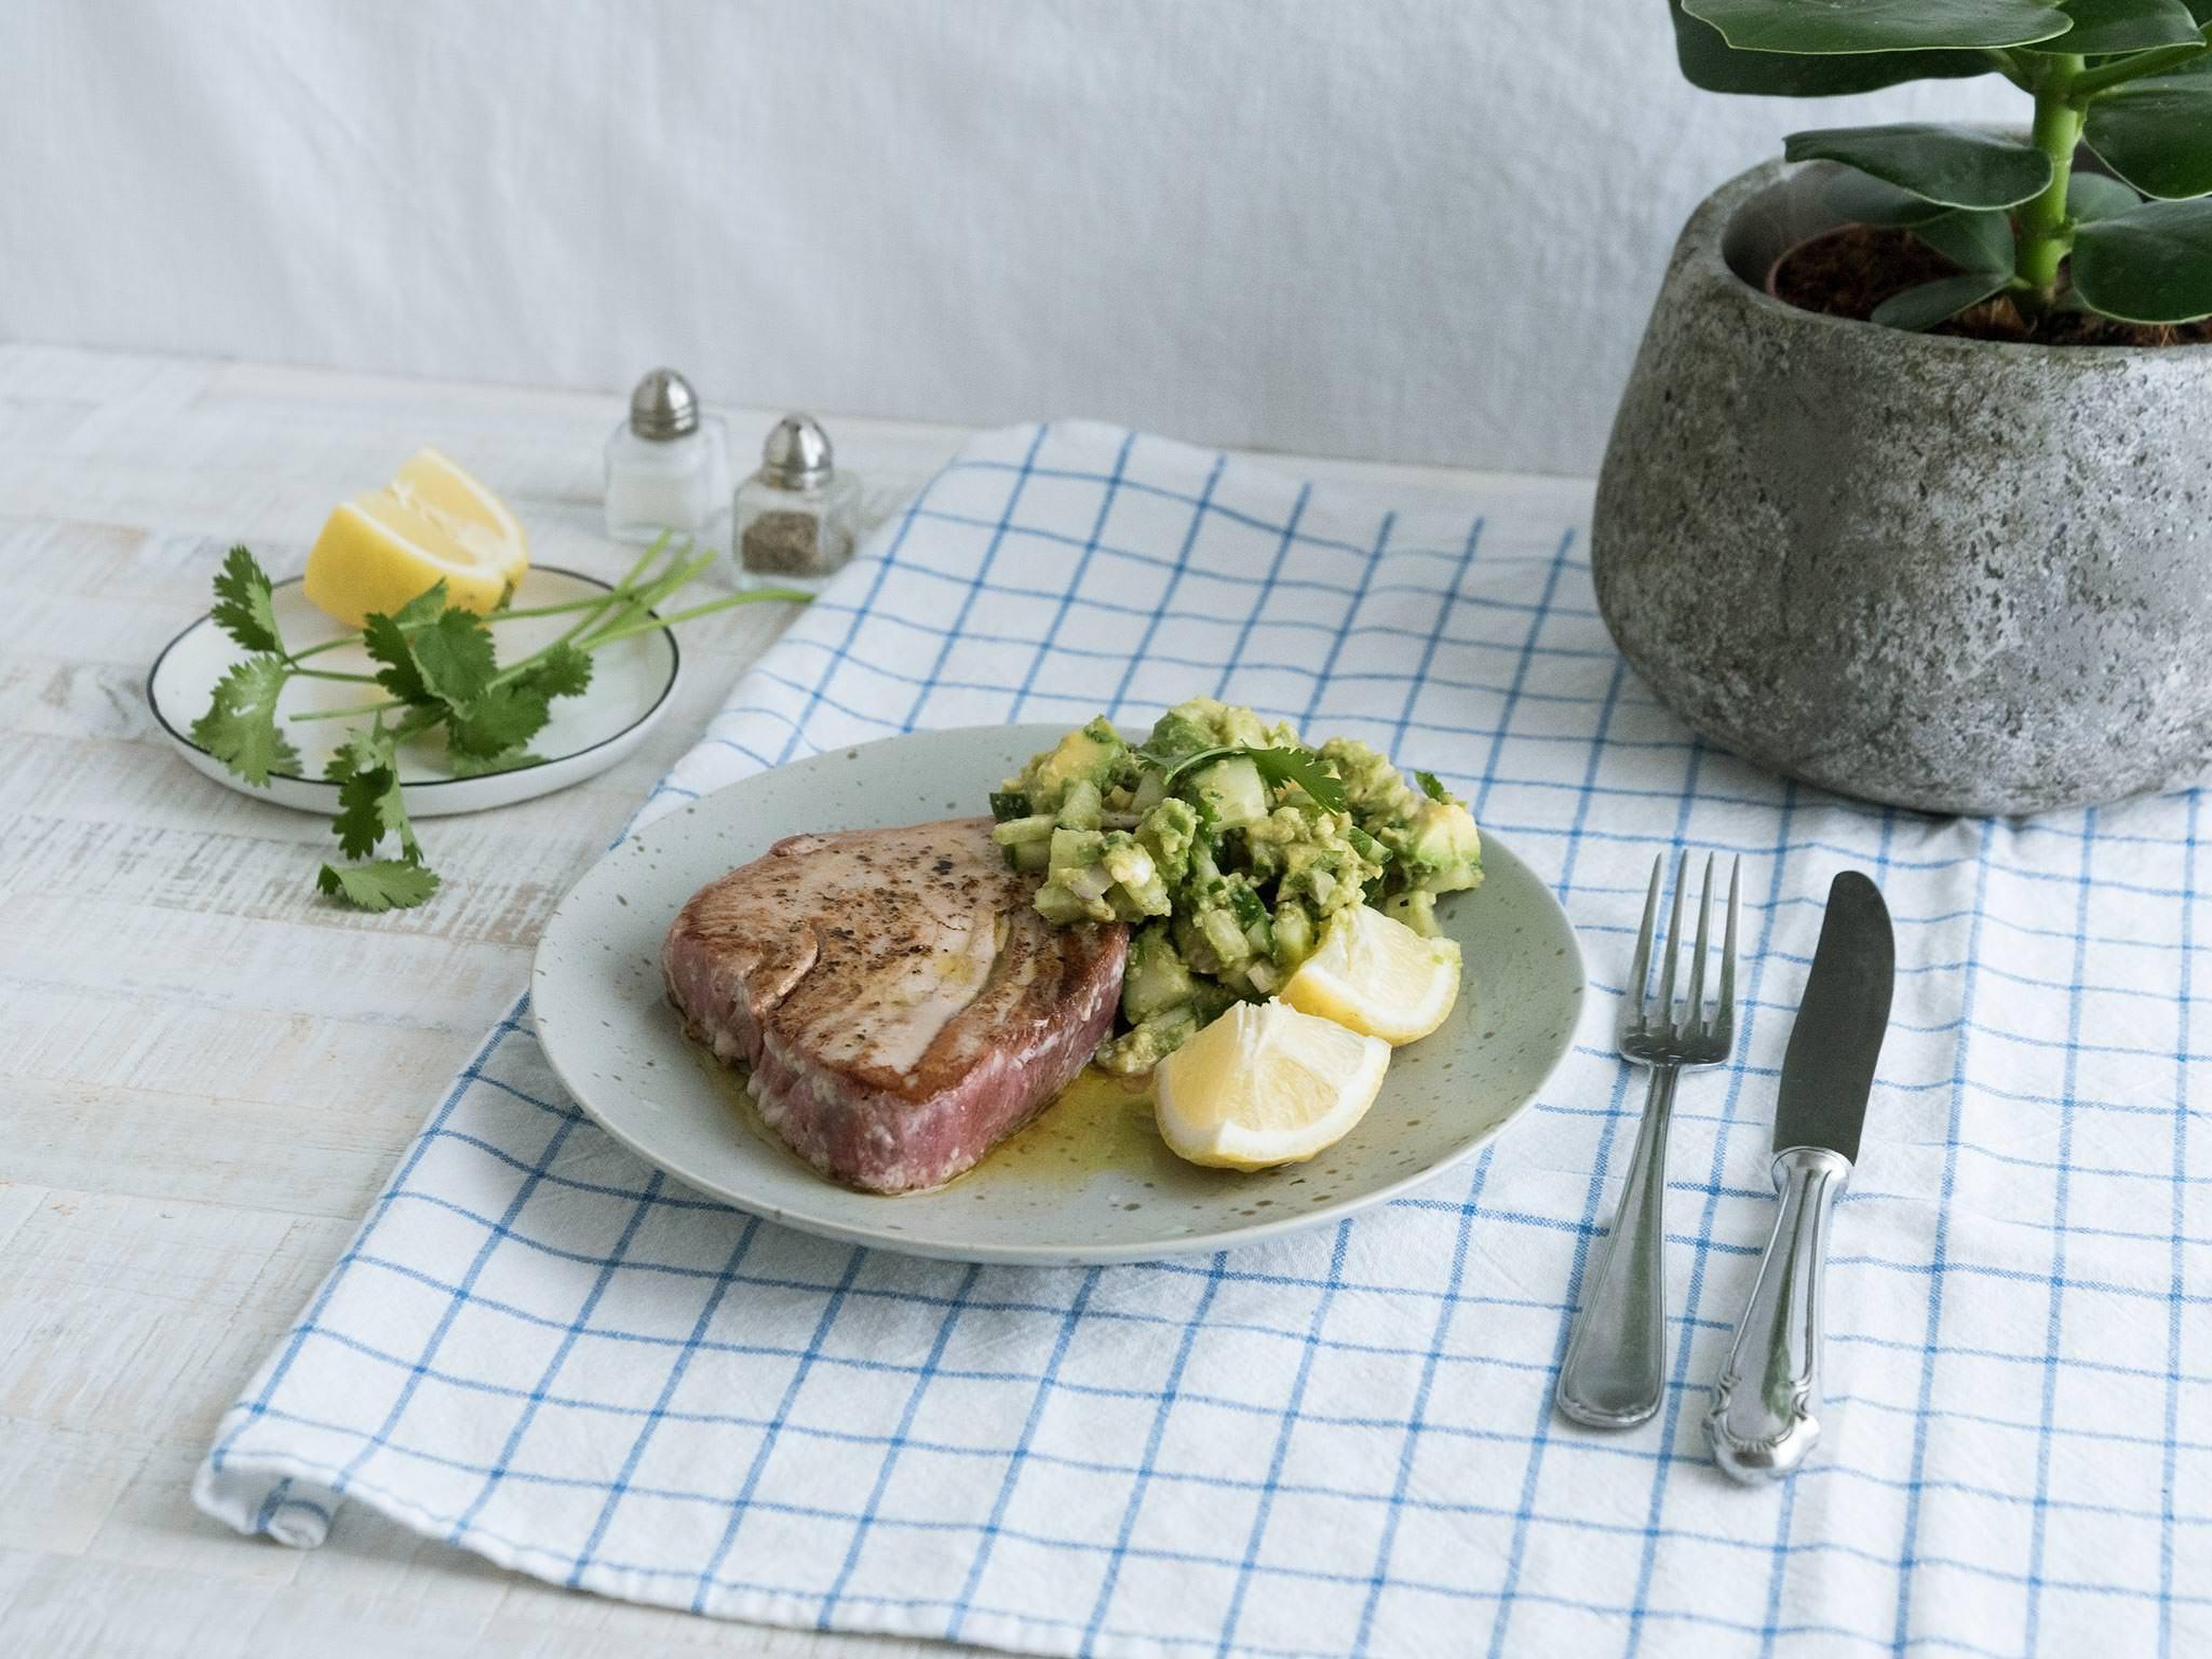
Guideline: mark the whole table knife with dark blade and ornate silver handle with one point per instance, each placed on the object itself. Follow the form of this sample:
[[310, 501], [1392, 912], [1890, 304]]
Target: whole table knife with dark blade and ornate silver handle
[[1766, 1408]]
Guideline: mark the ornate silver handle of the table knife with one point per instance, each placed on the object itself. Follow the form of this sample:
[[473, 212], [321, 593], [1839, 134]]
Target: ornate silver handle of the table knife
[[1764, 1417]]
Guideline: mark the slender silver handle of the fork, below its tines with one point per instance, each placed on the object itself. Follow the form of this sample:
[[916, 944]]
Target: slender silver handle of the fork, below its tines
[[1616, 1361]]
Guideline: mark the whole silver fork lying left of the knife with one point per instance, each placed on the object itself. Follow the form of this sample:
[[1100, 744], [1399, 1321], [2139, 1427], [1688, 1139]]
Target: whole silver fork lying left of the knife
[[1616, 1361]]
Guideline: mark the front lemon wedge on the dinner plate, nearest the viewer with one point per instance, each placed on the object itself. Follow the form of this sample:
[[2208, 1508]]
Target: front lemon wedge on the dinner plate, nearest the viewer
[[1266, 1085]]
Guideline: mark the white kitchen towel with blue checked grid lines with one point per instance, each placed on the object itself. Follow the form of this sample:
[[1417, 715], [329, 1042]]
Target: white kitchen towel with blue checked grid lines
[[1344, 1443]]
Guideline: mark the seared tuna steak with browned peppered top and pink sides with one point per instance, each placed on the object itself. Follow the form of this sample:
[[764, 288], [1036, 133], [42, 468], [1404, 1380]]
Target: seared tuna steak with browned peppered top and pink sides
[[899, 1001]]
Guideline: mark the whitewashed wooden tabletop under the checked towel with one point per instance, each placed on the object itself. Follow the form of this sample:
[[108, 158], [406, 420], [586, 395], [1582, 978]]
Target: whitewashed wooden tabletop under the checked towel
[[205, 1070]]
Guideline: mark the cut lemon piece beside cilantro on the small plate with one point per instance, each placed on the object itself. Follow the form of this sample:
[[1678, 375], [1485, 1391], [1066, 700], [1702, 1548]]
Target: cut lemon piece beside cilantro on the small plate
[[432, 523]]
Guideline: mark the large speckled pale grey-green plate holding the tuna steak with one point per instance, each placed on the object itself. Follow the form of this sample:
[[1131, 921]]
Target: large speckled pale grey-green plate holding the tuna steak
[[1089, 1180]]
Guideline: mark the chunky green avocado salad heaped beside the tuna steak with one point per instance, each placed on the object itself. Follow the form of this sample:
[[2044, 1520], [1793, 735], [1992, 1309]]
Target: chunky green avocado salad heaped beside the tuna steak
[[1227, 844]]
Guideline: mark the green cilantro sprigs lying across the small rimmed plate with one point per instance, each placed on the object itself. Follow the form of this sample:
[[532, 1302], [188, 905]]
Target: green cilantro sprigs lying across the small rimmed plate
[[441, 676]]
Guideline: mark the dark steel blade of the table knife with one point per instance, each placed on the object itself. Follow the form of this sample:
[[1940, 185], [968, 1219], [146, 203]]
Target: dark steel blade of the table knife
[[1837, 1039]]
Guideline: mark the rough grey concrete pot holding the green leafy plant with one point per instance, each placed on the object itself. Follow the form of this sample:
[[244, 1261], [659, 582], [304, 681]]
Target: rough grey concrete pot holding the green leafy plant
[[1928, 572]]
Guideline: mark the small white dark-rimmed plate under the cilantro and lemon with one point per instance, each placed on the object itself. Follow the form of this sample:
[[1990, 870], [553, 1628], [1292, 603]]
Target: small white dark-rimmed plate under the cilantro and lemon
[[627, 698]]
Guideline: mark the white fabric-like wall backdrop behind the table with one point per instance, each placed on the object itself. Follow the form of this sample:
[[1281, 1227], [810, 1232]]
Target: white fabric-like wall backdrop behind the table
[[1392, 229]]
